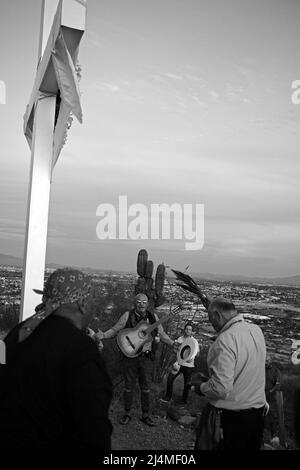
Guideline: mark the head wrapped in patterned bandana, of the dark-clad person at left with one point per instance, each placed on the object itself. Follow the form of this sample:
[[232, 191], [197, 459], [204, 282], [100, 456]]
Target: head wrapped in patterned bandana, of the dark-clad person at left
[[69, 293]]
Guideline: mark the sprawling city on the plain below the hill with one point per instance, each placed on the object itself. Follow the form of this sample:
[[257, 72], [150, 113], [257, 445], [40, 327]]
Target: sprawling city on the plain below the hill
[[275, 308]]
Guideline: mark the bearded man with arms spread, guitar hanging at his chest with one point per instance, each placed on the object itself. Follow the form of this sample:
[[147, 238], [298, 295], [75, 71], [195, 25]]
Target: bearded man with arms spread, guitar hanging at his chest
[[141, 366]]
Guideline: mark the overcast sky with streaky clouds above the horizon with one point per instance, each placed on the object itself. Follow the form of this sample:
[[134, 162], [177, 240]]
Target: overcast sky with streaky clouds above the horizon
[[184, 101]]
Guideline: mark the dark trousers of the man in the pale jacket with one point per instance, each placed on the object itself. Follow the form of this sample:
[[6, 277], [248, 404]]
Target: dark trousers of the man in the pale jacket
[[242, 430]]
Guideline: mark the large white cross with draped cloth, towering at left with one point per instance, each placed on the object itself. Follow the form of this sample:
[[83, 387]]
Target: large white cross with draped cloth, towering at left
[[45, 125]]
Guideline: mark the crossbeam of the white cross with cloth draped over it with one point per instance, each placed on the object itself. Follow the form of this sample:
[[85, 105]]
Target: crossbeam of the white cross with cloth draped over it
[[56, 71]]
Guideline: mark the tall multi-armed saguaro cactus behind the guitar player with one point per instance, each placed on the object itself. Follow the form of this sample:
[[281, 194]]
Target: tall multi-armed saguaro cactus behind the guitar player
[[145, 283]]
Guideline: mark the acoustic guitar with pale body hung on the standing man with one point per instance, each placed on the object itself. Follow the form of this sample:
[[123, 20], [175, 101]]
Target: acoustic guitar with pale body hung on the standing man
[[134, 341]]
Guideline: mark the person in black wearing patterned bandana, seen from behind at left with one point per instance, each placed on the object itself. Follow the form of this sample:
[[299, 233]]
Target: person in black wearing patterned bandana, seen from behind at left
[[56, 391]]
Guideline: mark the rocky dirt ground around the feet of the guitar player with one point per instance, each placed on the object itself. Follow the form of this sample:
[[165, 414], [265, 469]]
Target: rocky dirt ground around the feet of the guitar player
[[175, 424]]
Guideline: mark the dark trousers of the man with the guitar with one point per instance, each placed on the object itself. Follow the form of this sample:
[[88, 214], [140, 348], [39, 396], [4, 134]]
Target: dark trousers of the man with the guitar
[[137, 368]]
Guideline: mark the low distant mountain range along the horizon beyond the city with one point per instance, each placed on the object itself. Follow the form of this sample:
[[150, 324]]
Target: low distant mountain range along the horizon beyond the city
[[8, 260]]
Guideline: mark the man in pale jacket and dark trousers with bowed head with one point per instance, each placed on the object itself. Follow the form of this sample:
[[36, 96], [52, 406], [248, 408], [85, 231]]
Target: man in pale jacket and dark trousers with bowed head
[[236, 384]]
